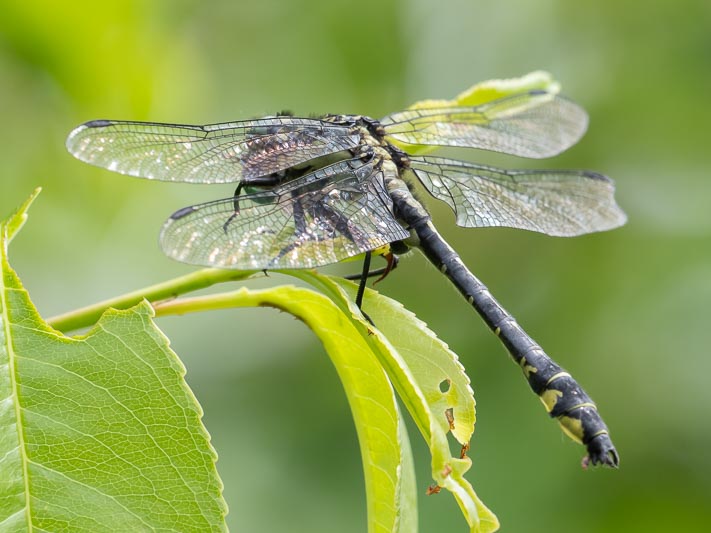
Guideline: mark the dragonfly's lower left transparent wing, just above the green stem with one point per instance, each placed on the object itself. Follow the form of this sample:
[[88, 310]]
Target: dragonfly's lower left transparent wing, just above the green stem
[[324, 217]]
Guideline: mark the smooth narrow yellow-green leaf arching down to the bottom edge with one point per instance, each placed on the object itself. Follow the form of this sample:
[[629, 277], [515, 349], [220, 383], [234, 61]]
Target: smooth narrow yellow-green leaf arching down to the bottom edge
[[385, 449]]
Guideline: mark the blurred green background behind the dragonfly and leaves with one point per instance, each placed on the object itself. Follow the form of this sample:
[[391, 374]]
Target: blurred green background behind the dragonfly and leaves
[[627, 312]]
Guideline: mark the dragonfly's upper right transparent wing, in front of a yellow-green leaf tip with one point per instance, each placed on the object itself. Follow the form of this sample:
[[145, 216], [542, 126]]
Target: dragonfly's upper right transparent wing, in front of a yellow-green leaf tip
[[534, 124]]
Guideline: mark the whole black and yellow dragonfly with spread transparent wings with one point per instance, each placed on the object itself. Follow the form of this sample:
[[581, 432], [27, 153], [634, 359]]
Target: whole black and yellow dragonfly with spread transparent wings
[[316, 191]]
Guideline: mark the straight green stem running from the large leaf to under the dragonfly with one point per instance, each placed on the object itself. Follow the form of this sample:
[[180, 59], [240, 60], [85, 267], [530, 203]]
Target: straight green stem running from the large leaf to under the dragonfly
[[86, 316]]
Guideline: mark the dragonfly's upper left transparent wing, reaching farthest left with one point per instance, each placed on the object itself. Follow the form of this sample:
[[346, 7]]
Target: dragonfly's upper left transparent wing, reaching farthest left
[[215, 153]]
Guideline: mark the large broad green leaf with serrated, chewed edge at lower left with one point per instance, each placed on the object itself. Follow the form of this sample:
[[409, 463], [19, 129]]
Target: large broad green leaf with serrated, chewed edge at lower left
[[100, 432]]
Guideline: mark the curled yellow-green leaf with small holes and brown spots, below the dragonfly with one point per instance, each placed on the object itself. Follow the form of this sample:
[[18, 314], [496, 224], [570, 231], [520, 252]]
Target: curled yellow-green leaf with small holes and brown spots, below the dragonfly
[[418, 363]]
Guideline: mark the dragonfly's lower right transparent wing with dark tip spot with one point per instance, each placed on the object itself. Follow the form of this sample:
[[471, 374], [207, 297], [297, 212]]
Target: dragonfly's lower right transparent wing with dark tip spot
[[561, 203]]
